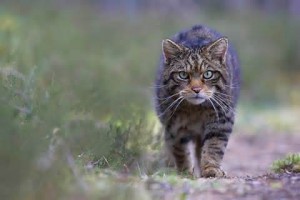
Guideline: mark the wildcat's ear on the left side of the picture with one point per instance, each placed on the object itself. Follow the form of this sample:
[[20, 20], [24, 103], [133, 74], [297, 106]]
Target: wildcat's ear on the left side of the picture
[[171, 49]]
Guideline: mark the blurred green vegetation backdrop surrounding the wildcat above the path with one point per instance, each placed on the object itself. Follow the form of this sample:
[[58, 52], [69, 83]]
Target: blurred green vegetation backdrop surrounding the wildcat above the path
[[77, 81]]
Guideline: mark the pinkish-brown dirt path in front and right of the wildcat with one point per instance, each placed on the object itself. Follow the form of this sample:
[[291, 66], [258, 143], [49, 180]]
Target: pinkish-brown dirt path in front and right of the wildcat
[[247, 162]]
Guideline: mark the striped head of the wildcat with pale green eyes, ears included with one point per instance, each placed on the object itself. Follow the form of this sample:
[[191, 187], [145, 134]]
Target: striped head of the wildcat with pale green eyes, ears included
[[196, 74]]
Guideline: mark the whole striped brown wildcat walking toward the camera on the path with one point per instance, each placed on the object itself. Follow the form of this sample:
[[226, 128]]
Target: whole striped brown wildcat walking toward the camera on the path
[[197, 87]]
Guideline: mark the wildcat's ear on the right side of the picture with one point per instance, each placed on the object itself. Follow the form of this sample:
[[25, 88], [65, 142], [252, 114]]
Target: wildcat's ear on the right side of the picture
[[217, 50]]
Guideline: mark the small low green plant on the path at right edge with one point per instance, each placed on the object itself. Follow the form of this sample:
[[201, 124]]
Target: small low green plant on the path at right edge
[[290, 164]]
